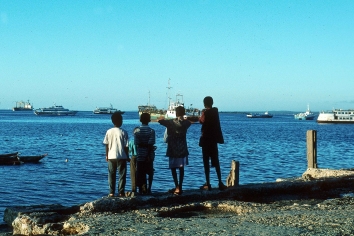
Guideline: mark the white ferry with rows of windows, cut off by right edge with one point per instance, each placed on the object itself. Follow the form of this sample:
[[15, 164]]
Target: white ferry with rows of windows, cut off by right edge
[[337, 116]]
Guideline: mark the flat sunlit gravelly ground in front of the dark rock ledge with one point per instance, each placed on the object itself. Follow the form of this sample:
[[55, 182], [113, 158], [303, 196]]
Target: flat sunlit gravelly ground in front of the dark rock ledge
[[298, 217]]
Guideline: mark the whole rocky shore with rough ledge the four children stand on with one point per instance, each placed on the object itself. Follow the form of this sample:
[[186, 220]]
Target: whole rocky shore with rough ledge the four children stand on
[[320, 202]]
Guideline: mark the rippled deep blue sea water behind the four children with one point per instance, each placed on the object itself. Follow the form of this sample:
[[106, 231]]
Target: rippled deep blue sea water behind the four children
[[267, 149]]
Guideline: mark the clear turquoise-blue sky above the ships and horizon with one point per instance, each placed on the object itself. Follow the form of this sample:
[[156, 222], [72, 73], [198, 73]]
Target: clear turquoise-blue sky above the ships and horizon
[[248, 55]]
